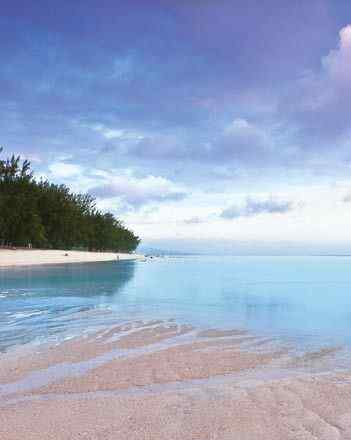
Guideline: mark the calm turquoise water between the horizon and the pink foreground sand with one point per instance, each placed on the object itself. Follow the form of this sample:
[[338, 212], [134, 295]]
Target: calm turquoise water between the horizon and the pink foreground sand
[[301, 299]]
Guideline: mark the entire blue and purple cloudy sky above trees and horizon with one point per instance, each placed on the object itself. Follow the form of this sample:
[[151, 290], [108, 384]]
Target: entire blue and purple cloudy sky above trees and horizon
[[198, 123]]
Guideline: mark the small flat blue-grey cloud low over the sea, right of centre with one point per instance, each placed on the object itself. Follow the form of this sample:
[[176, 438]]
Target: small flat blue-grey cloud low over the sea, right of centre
[[254, 207]]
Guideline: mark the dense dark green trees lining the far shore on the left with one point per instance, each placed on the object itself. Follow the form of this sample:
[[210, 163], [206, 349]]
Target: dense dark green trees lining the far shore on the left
[[46, 215]]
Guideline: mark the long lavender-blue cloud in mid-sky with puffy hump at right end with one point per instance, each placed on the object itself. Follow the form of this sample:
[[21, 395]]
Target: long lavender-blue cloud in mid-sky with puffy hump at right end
[[241, 141]]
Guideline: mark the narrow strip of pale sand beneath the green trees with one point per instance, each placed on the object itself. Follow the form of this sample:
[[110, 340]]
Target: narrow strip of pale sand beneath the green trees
[[14, 258]]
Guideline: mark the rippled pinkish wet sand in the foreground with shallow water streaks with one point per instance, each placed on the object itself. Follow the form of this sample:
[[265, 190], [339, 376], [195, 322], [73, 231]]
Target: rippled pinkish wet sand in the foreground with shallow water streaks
[[160, 380]]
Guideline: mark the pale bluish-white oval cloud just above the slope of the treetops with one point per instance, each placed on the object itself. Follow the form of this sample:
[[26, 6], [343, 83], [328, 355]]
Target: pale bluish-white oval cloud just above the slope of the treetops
[[136, 192]]
